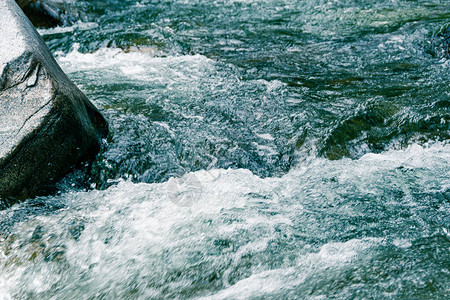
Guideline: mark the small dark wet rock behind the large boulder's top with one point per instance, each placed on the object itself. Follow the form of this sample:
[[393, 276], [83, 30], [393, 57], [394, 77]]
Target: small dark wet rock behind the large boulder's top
[[45, 13]]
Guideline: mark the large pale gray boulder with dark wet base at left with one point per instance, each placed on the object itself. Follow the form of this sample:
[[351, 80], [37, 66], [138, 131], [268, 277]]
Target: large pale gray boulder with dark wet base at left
[[47, 125]]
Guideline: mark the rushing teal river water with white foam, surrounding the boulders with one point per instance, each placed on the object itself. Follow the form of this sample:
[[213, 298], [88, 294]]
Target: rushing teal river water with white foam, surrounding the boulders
[[258, 149]]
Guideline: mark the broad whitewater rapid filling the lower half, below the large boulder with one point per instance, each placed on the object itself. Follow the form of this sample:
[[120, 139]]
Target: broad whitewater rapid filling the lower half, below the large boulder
[[246, 236]]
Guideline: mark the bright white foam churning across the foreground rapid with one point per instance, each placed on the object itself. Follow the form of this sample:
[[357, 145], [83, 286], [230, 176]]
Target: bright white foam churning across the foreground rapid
[[142, 234]]
